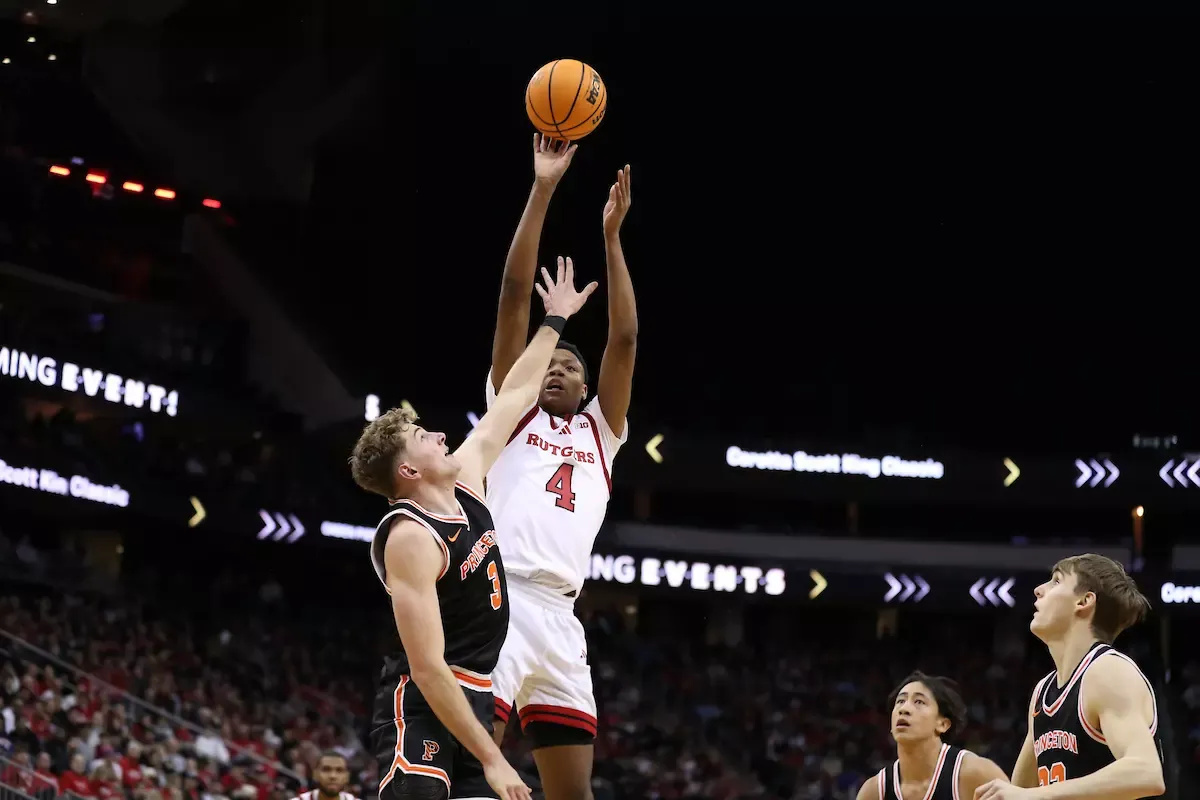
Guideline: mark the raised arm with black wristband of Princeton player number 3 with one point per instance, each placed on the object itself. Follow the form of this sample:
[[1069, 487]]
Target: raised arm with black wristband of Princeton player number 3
[[524, 383]]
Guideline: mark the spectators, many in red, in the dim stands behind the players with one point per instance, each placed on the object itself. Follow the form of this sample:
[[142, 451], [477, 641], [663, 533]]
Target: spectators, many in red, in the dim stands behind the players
[[241, 699]]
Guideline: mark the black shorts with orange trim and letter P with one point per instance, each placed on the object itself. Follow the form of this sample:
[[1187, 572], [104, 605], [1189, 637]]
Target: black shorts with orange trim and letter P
[[418, 757]]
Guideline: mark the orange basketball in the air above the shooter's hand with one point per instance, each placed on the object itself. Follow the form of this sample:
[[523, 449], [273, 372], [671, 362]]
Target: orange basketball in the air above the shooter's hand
[[567, 100]]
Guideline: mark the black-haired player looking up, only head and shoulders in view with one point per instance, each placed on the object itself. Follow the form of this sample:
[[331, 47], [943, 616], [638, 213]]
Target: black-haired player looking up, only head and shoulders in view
[[926, 711]]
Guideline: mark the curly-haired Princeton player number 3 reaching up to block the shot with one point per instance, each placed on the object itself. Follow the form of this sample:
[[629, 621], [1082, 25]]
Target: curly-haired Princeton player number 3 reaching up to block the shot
[[437, 556]]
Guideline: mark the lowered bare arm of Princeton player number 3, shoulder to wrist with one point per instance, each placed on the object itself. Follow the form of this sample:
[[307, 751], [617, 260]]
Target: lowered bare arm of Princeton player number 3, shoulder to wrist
[[415, 562]]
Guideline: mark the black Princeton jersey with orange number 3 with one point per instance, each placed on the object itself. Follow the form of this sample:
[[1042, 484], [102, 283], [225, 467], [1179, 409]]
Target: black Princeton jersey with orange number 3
[[472, 593]]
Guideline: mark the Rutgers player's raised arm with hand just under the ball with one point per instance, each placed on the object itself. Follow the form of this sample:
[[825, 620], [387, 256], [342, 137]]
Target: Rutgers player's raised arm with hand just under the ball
[[550, 163]]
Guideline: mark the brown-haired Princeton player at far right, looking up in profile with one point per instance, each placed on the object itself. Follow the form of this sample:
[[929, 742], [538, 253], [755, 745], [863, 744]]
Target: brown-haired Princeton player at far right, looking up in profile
[[1094, 723]]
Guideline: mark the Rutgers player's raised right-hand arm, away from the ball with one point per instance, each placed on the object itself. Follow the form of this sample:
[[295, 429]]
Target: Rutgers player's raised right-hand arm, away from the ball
[[617, 368]]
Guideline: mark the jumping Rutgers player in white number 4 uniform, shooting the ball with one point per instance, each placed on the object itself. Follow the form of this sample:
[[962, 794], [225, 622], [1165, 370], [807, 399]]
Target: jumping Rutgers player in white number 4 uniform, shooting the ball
[[549, 492]]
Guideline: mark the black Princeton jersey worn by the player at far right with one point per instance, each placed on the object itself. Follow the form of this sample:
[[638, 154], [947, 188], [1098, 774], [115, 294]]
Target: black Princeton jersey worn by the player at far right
[[1065, 743]]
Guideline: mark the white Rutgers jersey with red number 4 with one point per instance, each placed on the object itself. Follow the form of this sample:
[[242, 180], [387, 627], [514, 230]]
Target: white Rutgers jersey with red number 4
[[549, 494]]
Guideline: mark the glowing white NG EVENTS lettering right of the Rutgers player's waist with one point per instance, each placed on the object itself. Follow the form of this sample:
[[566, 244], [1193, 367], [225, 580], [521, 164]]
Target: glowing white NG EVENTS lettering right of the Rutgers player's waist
[[697, 575]]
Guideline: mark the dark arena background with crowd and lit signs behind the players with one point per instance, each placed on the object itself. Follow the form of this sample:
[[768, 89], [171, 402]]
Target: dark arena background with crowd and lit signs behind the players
[[230, 234]]
